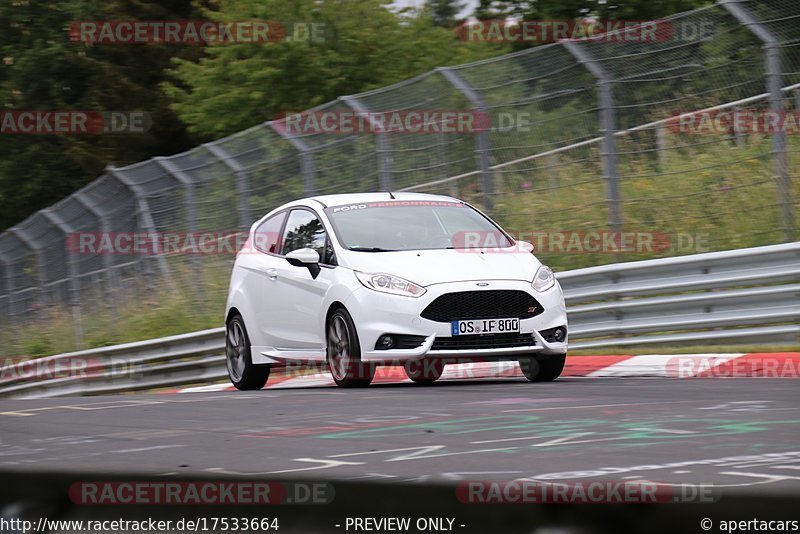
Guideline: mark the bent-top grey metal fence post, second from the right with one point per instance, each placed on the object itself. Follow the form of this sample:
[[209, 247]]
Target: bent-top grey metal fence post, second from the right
[[608, 125]]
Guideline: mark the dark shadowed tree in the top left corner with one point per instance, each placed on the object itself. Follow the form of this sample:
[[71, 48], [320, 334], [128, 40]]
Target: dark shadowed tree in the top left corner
[[43, 70]]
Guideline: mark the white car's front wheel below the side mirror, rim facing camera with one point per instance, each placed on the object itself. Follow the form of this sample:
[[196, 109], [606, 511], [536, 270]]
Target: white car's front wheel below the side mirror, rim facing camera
[[344, 352]]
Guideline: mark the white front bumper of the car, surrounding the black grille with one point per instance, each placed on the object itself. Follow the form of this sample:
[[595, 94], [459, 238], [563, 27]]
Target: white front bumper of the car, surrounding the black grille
[[376, 314]]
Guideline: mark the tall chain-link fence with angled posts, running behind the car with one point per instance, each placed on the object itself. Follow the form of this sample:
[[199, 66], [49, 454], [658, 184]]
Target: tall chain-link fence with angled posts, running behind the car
[[585, 136]]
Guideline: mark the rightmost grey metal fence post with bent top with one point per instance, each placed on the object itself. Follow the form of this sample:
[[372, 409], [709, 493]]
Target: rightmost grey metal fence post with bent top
[[774, 73]]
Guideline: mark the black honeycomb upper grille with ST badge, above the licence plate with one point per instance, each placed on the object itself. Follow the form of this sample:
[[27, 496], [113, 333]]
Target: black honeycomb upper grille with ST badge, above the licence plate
[[488, 304]]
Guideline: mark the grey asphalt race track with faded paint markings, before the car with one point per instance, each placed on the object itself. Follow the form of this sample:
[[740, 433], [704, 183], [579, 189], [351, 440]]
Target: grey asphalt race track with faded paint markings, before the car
[[737, 434]]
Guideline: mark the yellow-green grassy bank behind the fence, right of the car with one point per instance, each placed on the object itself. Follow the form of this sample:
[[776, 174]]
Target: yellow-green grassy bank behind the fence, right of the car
[[715, 197]]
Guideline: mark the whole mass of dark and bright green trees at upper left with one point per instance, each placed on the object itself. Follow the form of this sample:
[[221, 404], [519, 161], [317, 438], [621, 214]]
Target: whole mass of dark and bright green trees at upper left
[[216, 90]]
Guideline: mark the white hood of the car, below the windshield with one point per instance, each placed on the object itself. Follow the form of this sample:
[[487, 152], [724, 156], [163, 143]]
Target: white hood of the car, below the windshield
[[426, 267]]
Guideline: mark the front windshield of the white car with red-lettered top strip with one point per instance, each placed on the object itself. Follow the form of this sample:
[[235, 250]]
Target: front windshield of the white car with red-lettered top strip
[[413, 225]]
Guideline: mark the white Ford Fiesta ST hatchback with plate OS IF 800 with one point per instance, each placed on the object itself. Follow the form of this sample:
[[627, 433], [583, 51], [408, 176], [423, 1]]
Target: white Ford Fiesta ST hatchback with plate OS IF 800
[[362, 280]]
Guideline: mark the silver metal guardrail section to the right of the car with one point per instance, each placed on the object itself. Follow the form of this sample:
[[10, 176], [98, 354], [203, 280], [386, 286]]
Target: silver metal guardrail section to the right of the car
[[747, 295]]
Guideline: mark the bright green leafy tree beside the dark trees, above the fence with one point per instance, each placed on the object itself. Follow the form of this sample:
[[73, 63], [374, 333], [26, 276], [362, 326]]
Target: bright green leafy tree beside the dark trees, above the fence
[[364, 46]]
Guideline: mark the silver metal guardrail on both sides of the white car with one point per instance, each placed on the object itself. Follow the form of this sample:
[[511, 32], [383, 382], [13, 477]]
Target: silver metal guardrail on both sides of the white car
[[740, 296]]
